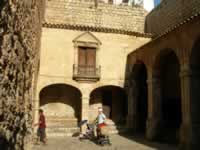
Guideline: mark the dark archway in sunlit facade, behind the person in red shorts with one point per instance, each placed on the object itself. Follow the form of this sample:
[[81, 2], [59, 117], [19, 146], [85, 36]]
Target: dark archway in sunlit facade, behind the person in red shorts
[[113, 99]]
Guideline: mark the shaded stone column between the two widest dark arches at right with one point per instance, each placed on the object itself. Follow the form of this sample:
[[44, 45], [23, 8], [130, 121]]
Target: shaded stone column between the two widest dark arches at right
[[154, 107]]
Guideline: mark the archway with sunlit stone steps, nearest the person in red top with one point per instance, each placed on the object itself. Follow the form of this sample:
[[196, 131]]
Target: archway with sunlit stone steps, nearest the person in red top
[[62, 107]]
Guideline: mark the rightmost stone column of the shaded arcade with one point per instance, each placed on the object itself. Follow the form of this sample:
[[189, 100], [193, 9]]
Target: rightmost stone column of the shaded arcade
[[185, 130]]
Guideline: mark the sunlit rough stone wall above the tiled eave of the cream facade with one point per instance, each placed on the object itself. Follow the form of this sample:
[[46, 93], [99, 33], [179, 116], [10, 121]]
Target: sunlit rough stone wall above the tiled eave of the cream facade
[[82, 13]]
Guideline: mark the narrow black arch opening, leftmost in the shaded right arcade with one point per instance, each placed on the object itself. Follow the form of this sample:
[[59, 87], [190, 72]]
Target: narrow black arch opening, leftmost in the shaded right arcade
[[140, 104]]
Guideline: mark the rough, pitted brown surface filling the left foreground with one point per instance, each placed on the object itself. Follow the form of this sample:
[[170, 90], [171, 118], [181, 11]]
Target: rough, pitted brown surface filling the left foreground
[[20, 28]]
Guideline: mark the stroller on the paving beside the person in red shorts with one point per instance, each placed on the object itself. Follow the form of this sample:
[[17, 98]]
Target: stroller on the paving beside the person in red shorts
[[90, 134]]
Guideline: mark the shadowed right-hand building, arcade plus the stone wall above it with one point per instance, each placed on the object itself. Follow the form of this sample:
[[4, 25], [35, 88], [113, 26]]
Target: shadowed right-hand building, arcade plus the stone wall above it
[[167, 68]]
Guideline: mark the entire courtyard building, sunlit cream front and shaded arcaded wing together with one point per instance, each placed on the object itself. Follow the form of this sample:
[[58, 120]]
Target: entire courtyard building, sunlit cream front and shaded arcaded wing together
[[143, 71]]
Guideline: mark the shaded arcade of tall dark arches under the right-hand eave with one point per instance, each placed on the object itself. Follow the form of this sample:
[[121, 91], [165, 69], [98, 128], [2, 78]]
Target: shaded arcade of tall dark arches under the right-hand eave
[[163, 91]]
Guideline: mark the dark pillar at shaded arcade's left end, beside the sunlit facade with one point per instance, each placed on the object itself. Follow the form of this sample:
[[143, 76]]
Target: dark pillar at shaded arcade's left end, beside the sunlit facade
[[132, 98]]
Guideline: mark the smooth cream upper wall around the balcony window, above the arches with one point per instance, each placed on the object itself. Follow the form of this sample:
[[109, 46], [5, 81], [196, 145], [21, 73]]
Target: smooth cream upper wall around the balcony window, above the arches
[[57, 61]]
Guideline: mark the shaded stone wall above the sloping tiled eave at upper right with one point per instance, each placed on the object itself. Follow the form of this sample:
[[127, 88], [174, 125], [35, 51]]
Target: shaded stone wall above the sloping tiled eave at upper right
[[169, 14]]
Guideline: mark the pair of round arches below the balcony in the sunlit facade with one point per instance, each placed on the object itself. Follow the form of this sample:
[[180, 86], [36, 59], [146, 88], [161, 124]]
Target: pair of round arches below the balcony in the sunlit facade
[[65, 106]]
